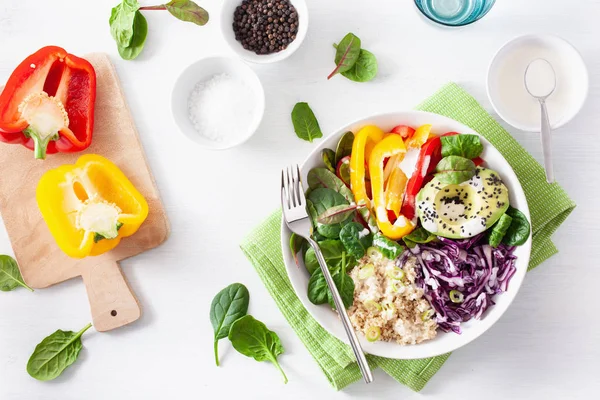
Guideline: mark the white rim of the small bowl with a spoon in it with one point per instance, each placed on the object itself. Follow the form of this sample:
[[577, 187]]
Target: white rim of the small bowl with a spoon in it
[[546, 36]]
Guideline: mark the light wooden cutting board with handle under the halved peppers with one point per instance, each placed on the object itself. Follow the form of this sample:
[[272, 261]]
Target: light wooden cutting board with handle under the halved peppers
[[41, 262]]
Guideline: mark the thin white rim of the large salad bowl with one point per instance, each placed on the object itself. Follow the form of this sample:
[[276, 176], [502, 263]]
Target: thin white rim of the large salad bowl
[[516, 283]]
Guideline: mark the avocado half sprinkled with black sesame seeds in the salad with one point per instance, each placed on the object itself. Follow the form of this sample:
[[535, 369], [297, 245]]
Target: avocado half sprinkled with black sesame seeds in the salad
[[463, 210]]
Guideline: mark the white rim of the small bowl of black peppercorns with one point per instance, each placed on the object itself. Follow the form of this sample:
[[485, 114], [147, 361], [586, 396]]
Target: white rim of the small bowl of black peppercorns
[[247, 55]]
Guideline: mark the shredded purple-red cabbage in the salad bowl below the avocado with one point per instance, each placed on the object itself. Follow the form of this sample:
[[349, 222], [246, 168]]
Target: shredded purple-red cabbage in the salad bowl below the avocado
[[470, 266]]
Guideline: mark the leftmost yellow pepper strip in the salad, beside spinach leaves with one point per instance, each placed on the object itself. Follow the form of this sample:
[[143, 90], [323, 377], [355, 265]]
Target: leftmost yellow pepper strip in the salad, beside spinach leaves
[[364, 142]]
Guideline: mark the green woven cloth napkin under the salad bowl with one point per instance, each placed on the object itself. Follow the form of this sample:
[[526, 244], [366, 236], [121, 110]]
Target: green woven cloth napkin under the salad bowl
[[549, 206]]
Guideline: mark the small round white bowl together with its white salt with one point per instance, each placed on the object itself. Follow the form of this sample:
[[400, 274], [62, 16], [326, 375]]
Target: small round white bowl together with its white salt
[[218, 102]]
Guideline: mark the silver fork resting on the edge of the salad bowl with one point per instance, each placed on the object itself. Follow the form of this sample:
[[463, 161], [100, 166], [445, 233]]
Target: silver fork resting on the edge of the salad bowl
[[296, 218]]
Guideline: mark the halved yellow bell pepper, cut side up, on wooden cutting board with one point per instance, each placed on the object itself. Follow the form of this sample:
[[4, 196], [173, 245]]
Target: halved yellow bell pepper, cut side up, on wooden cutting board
[[89, 206]]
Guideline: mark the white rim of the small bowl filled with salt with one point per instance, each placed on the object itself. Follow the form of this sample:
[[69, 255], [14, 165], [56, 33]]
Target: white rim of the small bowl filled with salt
[[260, 98]]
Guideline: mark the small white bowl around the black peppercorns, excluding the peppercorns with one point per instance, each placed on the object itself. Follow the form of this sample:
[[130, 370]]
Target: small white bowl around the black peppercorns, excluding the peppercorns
[[227, 11]]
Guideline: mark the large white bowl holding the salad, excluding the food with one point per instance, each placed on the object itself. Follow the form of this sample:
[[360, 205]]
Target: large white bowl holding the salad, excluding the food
[[443, 342]]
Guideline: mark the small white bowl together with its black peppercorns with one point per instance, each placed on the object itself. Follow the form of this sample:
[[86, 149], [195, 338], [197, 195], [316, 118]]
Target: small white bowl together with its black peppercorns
[[264, 31]]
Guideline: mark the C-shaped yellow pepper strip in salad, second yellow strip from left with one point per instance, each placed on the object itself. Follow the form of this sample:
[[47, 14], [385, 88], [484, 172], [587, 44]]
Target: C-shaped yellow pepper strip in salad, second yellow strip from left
[[388, 147]]
